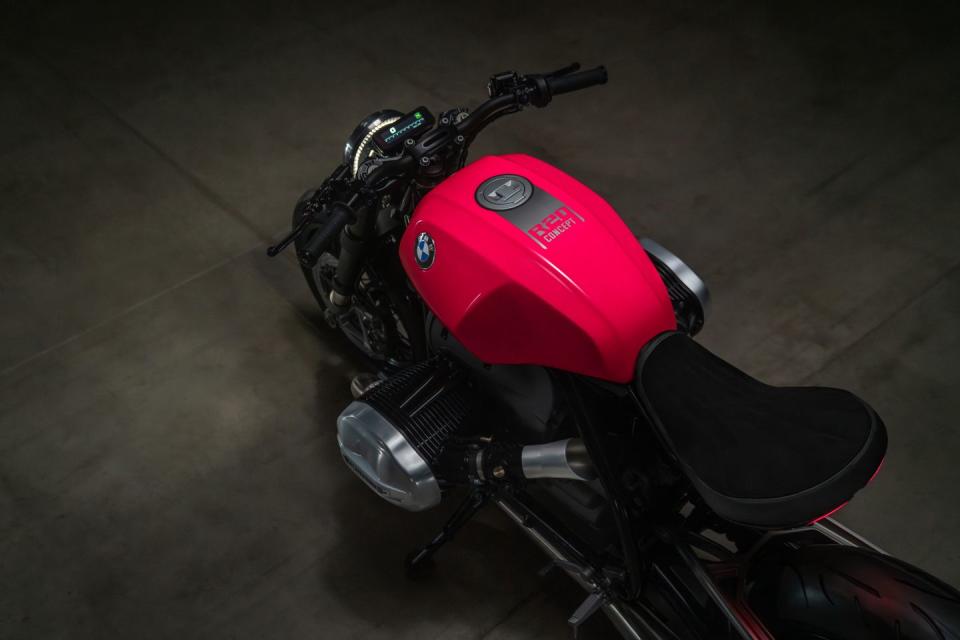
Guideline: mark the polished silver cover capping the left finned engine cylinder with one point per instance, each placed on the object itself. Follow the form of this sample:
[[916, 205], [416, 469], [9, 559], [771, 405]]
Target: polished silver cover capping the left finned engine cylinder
[[383, 458]]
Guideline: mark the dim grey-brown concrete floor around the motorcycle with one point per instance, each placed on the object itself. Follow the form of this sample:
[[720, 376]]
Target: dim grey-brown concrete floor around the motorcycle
[[168, 465]]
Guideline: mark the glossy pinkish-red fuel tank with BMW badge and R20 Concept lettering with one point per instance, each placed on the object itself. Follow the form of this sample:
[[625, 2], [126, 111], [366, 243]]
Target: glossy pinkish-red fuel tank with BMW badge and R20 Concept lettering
[[526, 265]]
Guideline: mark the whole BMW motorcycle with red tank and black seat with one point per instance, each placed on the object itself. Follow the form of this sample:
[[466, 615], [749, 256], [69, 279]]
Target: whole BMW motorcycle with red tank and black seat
[[529, 350]]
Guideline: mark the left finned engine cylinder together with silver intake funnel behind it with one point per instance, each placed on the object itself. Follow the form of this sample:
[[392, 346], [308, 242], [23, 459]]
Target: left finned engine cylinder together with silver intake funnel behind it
[[412, 434]]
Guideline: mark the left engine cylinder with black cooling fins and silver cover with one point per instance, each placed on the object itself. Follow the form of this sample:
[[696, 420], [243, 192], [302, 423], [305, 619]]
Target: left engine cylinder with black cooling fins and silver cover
[[393, 435]]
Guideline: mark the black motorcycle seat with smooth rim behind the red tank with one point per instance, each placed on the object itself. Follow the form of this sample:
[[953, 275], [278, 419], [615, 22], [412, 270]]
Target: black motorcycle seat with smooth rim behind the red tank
[[758, 455]]
